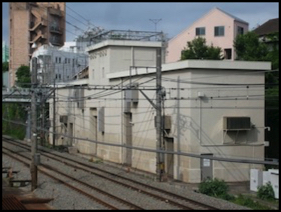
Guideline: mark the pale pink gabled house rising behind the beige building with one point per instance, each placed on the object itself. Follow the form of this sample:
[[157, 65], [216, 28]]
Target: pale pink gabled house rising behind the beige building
[[217, 27]]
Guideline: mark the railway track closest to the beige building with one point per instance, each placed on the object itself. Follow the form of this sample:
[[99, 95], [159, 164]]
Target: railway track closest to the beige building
[[179, 202]]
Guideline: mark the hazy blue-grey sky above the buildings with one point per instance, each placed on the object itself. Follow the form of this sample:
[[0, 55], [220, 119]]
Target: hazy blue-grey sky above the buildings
[[175, 17]]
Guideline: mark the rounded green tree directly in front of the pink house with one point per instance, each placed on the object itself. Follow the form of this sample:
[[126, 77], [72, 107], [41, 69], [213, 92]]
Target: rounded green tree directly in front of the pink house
[[197, 49]]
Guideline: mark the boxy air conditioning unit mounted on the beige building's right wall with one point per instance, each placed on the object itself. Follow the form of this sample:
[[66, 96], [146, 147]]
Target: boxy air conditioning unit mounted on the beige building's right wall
[[236, 123]]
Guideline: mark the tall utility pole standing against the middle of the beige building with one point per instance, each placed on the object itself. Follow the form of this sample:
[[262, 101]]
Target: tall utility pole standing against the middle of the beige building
[[159, 119]]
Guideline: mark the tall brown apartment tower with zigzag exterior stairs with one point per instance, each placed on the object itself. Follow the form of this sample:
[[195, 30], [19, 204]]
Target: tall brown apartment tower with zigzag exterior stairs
[[33, 24]]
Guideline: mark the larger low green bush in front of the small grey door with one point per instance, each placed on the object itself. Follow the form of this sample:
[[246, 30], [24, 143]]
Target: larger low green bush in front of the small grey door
[[216, 188]]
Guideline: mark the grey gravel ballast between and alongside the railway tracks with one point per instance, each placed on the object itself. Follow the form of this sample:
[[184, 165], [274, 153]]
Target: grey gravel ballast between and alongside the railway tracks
[[66, 198]]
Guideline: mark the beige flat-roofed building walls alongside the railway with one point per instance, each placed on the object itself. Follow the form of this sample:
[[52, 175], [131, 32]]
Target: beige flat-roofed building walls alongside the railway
[[197, 118]]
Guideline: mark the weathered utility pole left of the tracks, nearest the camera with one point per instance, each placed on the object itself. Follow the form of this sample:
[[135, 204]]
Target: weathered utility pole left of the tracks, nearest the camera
[[33, 165]]
